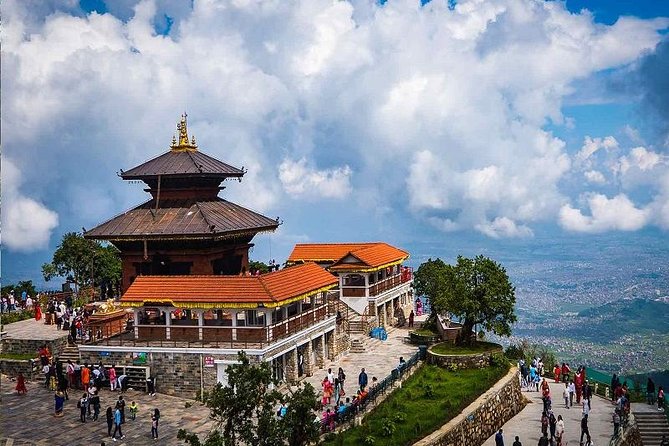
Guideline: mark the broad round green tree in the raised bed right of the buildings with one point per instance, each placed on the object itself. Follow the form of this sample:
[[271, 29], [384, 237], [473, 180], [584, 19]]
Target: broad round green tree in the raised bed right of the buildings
[[477, 291]]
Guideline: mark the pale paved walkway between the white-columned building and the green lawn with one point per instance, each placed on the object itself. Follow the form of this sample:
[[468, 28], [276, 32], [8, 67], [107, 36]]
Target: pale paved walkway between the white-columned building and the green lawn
[[377, 361]]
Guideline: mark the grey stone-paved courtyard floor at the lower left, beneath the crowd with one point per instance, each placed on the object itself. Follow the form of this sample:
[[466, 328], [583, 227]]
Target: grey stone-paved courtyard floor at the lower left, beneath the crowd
[[29, 420]]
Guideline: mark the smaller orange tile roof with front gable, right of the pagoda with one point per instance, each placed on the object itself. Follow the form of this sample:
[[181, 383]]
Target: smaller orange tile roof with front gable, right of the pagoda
[[371, 255]]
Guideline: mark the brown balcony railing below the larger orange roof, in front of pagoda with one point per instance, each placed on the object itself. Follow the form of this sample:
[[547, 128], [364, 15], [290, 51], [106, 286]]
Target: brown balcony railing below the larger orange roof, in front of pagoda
[[221, 336]]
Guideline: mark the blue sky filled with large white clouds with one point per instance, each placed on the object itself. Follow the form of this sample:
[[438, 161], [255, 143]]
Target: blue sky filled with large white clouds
[[487, 124]]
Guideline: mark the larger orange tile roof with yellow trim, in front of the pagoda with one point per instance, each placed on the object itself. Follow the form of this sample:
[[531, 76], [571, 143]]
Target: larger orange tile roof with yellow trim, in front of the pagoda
[[271, 290]]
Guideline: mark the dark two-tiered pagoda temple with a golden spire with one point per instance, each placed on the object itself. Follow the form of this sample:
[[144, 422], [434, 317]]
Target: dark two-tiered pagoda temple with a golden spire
[[185, 228]]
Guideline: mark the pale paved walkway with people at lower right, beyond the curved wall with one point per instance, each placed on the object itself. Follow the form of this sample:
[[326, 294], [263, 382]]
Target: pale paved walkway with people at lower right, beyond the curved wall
[[527, 424]]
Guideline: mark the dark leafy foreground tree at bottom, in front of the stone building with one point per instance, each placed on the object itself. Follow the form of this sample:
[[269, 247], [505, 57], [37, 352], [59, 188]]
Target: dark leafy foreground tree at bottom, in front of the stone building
[[245, 410]]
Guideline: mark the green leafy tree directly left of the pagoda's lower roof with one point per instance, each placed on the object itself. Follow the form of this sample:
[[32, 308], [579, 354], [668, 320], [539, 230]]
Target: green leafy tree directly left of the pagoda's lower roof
[[78, 259]]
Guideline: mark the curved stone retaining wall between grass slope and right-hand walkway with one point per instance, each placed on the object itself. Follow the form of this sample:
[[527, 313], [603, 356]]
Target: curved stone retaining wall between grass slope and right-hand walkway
[[483, 417]]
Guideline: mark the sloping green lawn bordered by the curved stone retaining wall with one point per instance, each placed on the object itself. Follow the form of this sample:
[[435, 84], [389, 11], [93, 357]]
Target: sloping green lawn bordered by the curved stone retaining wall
[[426, 401]]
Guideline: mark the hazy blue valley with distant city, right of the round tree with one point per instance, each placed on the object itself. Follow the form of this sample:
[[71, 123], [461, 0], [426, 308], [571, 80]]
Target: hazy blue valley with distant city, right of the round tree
[[605, 307]]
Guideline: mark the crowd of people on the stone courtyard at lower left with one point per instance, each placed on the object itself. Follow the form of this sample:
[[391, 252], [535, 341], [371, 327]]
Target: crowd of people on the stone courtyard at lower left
[[62, 378]]
